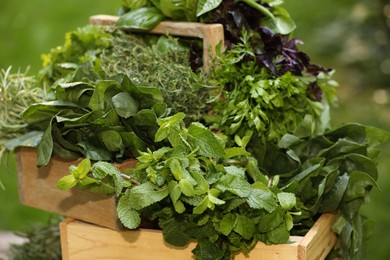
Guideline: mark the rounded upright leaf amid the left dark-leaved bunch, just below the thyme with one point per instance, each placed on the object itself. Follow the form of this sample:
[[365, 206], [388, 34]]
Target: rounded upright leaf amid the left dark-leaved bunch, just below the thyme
[[125, 105]]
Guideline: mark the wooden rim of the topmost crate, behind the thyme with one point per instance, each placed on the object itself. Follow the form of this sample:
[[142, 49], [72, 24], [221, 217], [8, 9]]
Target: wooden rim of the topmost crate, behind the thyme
[[212, 34]]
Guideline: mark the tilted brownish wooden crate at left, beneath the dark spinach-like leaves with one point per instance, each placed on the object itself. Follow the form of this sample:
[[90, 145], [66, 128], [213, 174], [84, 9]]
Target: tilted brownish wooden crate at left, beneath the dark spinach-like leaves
[[37, 188]]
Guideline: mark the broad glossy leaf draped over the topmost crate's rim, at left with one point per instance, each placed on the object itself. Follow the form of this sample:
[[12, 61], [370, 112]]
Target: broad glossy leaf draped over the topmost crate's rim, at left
[[142, 19]]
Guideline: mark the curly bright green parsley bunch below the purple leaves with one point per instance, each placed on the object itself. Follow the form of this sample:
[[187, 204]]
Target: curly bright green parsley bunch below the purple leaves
[[256, 100]]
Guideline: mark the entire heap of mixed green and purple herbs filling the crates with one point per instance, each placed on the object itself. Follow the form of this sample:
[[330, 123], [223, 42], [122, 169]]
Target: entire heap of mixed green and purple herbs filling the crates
[[253, 160]]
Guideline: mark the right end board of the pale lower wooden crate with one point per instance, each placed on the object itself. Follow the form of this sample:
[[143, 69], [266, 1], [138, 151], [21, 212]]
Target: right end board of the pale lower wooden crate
[[320, 239]]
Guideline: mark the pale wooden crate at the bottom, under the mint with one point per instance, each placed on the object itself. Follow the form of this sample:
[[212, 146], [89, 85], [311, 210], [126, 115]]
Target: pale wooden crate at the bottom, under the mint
[[80, 241]]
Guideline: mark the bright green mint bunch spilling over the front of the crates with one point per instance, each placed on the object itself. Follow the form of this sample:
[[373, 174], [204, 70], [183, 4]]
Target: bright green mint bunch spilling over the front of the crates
[[197, 190]]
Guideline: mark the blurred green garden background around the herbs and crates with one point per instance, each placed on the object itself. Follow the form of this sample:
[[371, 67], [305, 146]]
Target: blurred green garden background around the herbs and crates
[[350, 36]]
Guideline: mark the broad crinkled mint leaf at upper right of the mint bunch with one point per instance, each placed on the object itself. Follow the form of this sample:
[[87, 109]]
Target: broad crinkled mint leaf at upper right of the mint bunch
[[209, 144]]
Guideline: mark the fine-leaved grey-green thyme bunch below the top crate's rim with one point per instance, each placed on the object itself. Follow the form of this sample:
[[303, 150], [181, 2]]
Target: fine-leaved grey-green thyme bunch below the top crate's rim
[[165, 64]]
